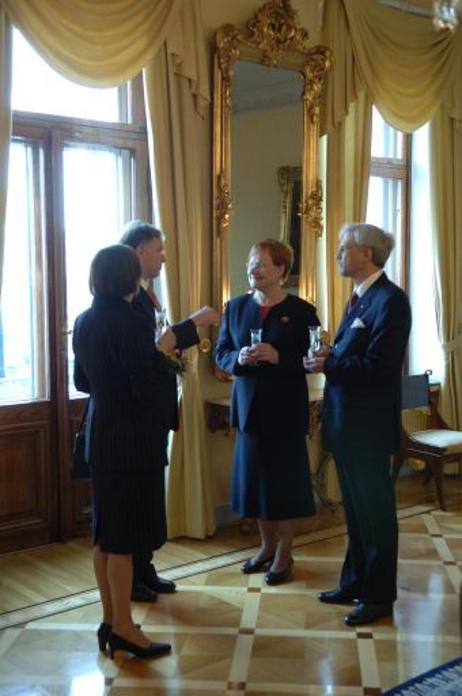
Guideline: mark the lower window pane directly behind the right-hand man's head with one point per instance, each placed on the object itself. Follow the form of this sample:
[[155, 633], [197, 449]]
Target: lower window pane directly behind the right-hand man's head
[[384, 210]]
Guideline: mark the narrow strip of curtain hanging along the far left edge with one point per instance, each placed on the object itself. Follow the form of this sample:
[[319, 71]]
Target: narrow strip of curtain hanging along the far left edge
[[5, 124]]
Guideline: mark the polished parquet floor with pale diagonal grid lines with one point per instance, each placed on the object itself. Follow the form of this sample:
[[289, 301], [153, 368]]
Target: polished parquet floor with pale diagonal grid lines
[[233, 635]]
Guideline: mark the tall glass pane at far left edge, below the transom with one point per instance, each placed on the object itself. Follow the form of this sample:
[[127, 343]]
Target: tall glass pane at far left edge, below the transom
[[23, 341]]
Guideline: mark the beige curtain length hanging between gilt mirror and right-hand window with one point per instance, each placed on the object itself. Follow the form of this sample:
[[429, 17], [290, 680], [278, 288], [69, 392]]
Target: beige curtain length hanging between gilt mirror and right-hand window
[[346, 116]]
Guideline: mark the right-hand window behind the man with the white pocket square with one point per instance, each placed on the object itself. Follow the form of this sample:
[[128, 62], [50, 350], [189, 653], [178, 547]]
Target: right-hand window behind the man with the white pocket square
[[399, 201]]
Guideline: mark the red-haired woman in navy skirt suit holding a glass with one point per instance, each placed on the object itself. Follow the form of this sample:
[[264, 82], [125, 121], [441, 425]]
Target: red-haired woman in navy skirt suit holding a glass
[[269, 408]]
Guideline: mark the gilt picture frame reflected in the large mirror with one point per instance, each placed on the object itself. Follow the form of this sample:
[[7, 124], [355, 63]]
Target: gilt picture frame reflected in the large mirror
[[290, 183]]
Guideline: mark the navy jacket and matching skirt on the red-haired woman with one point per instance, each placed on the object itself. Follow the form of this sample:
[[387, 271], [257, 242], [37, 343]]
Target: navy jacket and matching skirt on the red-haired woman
[[269, 408]]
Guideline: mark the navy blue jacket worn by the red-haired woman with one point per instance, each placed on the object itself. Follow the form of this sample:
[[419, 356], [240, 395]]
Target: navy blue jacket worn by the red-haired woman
[[267, 397]]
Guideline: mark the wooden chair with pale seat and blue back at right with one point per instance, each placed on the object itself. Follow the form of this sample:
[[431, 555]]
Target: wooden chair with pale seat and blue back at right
[[436, 446]]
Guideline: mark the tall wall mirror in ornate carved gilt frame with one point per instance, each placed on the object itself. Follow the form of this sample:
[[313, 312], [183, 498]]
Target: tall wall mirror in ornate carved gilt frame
[[266, 129]]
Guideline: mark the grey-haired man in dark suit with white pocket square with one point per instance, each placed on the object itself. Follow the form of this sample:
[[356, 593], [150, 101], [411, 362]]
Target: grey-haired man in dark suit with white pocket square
[[361, 420]]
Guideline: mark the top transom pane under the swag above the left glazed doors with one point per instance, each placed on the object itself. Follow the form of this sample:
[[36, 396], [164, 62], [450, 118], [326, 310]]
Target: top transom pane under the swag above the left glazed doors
[[40, 89]]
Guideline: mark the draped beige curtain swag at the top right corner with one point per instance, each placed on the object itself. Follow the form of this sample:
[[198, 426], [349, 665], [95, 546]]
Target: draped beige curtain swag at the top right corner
[[407, 67]]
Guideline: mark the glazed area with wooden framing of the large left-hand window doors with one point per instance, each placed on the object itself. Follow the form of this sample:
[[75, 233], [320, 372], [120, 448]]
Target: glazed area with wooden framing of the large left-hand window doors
[[78, 172]]
